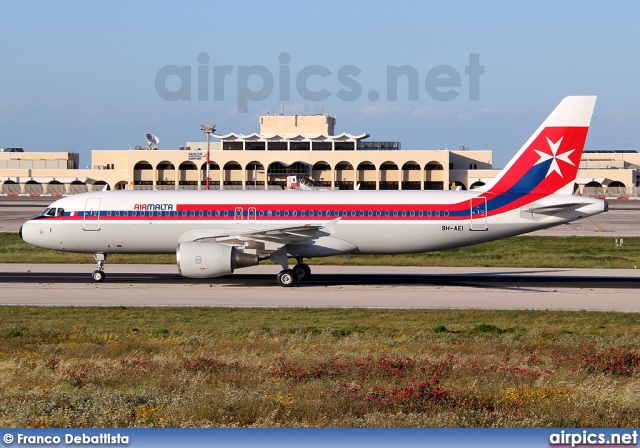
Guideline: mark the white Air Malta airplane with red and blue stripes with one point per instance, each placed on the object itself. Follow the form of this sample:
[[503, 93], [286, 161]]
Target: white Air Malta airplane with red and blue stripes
[[213, 233]]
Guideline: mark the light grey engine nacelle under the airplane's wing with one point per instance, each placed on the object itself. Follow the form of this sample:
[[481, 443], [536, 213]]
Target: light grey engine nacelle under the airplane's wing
[[197, 259]]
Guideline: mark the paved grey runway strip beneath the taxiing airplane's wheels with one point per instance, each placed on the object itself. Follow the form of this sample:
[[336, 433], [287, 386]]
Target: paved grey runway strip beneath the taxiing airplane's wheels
[[330, 286]]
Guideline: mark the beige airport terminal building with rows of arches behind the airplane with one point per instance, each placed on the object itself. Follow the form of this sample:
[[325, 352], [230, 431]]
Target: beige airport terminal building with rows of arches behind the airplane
[[301, 145]]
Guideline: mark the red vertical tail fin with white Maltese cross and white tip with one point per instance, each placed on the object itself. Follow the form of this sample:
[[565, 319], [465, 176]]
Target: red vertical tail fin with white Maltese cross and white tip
[[548, 162]]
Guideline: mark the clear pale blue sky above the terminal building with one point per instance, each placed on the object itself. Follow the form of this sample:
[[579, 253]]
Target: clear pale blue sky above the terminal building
[[77, 76]]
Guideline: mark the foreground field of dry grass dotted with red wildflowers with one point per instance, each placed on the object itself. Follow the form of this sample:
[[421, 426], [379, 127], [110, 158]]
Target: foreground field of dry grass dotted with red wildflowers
[[198, 367]]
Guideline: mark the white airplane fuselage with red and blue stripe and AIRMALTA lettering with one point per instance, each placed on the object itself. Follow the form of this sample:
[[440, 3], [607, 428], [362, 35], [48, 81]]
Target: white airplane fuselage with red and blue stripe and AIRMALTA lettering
[[368, 222]]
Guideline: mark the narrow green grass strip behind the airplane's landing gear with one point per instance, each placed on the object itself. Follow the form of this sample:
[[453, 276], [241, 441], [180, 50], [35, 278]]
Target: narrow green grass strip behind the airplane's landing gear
[[523, 251]]
